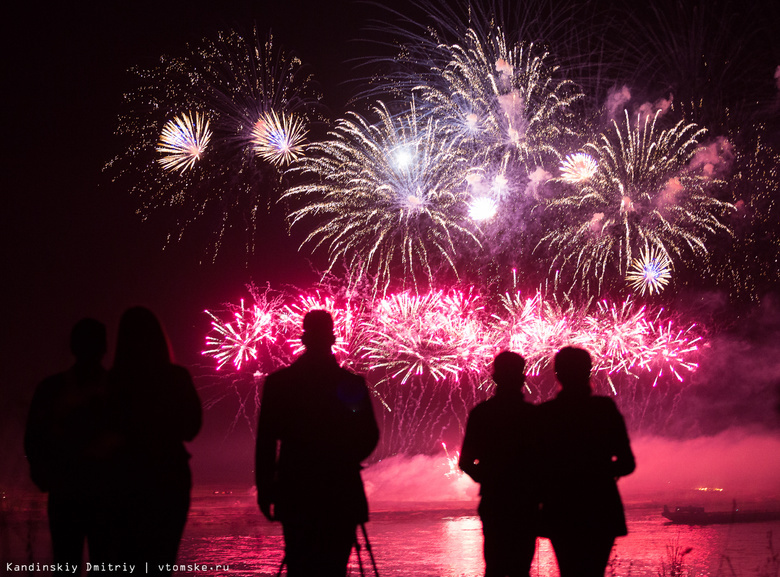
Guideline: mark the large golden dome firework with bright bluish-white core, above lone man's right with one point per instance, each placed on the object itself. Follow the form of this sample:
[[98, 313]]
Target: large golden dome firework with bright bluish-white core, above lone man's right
[[390, 198]]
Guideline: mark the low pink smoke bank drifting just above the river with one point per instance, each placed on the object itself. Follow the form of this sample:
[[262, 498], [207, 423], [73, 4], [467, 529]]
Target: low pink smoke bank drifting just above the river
[[739, 464]]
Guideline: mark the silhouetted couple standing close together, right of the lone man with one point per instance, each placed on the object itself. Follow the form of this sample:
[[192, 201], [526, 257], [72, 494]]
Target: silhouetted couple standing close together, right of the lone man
[[549, 470]]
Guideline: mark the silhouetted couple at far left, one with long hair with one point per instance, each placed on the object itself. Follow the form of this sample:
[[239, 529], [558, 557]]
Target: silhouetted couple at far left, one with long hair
[[108, 447]]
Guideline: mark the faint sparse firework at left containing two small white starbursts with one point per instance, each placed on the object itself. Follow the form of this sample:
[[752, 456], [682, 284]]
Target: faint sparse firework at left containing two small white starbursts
[[228, 84]]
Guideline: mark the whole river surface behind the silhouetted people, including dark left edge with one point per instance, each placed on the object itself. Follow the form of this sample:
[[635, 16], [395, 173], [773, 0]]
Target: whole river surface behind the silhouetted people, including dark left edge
[[227, 536]]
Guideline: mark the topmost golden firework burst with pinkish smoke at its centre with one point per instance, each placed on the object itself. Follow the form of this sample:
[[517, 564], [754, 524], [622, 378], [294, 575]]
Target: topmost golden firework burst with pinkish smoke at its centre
[[502, 99]]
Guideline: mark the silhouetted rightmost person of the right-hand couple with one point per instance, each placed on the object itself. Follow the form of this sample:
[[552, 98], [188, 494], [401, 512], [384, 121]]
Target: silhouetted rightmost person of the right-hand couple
[[586, 448]]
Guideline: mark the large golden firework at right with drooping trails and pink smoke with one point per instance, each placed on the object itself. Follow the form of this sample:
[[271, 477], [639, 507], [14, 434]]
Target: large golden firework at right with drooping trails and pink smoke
[[642, 194]]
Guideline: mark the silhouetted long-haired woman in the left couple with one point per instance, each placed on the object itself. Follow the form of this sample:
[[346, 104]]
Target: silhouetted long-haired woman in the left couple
[[154, 408]]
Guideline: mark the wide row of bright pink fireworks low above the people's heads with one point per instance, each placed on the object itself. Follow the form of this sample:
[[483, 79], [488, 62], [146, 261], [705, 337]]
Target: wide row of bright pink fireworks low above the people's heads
[[427, 356]]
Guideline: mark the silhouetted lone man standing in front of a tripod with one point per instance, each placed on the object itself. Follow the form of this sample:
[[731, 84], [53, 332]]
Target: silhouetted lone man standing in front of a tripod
[[316, 426]]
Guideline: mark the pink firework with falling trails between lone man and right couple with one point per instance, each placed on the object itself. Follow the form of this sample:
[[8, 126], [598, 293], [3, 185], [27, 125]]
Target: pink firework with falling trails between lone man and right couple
[[428, 356]]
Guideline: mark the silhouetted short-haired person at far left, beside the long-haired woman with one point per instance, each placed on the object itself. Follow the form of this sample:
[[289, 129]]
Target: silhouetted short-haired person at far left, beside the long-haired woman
[[64, 446]]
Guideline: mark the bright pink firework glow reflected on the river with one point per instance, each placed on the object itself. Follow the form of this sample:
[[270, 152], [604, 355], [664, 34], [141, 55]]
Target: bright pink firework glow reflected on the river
[[437, 541]]
